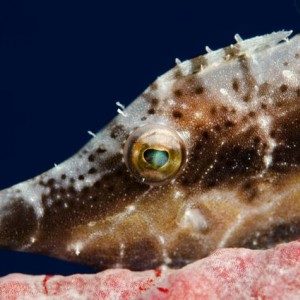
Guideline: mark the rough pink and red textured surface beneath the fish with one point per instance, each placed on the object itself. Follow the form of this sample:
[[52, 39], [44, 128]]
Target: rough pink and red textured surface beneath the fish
[[226, 274]]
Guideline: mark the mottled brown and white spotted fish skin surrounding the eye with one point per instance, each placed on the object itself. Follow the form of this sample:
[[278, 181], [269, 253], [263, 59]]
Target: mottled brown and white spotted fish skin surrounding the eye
[[237, 110]]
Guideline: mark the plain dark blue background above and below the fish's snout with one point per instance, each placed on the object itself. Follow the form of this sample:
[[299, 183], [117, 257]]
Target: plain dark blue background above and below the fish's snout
[[64, 64]]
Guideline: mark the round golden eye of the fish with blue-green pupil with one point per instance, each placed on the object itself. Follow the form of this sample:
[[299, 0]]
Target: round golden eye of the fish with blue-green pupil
[[154, 154]]
